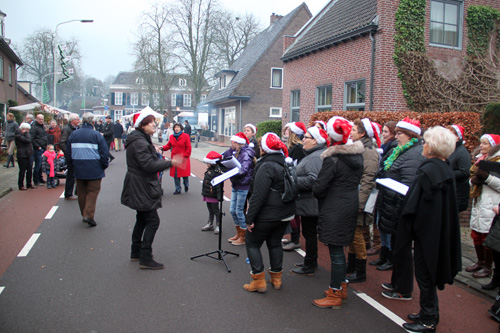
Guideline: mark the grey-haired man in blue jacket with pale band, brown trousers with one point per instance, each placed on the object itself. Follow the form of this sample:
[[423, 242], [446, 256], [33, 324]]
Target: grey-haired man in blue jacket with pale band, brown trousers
[[87, 154]]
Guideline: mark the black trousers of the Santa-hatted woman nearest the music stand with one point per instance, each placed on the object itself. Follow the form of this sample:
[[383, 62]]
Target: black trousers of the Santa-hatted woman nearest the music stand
[[271, 233]]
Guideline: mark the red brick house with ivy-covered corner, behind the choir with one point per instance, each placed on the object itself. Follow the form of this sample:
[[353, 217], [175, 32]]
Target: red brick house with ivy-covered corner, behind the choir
[[342, 59]]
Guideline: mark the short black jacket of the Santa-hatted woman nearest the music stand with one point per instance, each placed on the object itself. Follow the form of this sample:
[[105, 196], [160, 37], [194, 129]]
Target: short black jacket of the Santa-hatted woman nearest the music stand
[[267, 187]]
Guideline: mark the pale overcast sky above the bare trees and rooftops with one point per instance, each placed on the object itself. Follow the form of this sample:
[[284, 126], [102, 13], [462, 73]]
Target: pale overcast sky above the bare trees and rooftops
[[105, 44]]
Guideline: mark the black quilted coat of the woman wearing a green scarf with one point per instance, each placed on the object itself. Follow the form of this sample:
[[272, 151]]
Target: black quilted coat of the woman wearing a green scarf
[[389, 202]]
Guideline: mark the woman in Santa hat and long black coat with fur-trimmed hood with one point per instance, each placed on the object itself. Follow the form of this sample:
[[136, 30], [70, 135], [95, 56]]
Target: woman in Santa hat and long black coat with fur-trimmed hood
[[336, 189]]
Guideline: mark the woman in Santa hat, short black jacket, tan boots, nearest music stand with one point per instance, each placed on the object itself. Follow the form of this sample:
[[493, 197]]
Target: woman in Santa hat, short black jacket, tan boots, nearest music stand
[[268, 215]]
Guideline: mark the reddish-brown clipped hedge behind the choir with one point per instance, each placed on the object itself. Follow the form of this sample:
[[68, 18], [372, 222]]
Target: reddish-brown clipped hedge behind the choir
[[471, 121]]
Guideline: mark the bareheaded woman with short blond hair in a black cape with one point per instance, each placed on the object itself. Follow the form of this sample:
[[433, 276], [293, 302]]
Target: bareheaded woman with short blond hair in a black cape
[[429, 220]]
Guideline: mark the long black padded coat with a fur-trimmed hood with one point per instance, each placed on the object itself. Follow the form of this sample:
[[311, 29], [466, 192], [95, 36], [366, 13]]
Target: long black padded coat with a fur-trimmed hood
[[337, 191]]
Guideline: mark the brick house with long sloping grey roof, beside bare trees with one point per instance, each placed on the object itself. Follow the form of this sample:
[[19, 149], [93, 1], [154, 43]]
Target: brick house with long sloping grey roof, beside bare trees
[[250, 90]]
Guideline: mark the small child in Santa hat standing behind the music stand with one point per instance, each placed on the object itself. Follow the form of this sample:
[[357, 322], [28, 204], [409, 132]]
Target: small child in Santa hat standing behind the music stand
[[212, 194]]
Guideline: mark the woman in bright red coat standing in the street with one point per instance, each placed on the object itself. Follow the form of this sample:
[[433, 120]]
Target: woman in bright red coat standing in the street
[[180, 143]]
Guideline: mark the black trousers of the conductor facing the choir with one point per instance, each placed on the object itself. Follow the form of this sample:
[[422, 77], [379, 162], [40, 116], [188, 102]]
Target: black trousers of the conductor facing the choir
[[147, 222]]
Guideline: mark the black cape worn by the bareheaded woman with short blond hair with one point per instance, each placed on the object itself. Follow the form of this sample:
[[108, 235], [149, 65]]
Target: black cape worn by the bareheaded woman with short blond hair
[[430, 217]]
